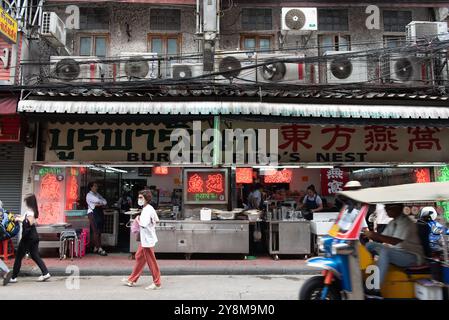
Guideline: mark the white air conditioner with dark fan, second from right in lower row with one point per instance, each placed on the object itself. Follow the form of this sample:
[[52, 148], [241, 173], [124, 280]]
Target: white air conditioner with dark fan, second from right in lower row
[[342, 68]]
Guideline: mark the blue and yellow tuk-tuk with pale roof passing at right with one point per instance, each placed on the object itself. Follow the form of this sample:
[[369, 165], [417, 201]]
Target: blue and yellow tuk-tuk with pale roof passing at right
[[347, 264]]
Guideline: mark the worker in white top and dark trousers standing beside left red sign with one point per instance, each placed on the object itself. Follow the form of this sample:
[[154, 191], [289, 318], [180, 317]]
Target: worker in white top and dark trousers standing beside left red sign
[[95, 204]]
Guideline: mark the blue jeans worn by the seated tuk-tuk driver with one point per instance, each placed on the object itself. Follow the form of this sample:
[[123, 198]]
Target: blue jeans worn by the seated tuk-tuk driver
[[391, 255]]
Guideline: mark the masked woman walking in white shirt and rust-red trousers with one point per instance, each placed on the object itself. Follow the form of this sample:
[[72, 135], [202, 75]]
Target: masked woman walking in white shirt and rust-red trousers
[[148, 239]]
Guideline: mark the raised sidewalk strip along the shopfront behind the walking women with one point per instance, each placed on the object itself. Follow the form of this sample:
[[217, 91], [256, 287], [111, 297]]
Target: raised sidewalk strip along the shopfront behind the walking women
[[120, 264]]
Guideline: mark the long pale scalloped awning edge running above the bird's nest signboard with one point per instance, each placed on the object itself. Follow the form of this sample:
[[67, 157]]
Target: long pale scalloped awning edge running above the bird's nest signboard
[[235, 108]]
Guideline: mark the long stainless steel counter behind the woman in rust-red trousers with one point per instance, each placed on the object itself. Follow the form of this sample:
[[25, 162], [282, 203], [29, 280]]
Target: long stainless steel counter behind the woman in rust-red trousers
[[195, 236]]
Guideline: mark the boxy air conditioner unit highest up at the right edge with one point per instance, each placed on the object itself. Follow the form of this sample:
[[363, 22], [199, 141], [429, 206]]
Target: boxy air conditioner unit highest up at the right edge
[[425, 30]]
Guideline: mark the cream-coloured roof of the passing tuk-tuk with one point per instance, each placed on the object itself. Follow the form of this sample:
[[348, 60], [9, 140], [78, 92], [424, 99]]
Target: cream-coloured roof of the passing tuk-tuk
[[404, 193]]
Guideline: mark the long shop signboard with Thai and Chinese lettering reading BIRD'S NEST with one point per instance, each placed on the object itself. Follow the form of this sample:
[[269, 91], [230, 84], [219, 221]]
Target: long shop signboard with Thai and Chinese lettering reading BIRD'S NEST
[[297, 143]]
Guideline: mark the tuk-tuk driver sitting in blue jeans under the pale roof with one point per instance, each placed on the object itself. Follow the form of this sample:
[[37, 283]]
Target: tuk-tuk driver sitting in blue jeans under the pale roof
[[399, 244]]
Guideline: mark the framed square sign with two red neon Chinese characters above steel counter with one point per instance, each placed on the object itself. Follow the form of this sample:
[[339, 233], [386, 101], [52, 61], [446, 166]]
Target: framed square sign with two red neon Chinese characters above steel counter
[[208, 186]]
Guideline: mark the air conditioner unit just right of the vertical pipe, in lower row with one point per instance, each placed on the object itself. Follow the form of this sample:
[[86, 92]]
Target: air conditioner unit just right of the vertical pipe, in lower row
[[230, 65]]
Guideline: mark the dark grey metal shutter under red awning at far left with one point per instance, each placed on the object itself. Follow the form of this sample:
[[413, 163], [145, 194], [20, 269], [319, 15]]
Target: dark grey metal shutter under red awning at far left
[[11, 171]]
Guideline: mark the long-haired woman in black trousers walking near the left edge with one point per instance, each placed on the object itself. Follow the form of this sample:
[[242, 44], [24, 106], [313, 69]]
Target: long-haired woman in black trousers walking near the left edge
[[30, 240]]
